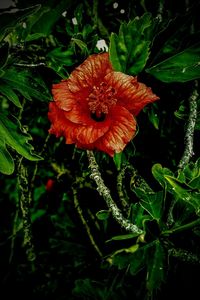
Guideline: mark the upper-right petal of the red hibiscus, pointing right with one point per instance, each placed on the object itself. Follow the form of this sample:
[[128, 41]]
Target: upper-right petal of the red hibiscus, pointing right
[[129, 92]]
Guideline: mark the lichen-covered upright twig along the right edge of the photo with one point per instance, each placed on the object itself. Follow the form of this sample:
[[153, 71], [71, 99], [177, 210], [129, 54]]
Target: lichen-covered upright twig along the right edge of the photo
[[189, 135]]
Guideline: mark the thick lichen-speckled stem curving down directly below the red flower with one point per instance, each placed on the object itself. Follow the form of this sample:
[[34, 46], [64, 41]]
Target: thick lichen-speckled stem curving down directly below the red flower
[[105, 192]]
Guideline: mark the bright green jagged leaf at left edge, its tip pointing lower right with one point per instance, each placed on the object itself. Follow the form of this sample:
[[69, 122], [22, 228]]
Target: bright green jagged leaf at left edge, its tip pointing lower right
[[12, 134]]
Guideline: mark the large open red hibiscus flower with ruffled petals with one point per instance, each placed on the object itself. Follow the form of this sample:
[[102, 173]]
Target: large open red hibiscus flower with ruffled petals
[[95, 107]]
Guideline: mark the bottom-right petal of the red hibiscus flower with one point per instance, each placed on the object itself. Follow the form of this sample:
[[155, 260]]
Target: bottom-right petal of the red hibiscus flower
[[121, 131]]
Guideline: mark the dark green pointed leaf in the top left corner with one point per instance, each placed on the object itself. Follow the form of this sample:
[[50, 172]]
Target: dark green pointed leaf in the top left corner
[[8, 21]]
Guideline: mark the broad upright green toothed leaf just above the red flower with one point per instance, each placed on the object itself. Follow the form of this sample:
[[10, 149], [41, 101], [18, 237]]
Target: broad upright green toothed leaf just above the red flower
[[129, 50]]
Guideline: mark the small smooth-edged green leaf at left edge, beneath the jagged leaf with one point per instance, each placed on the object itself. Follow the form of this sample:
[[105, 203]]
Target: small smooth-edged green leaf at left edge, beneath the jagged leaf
[[6, 160]]
